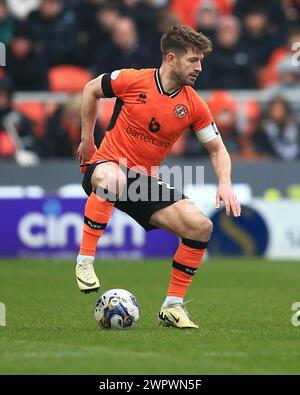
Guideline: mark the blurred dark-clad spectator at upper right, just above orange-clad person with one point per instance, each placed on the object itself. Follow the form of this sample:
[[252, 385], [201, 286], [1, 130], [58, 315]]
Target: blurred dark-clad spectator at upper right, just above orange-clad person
[[257, 39]]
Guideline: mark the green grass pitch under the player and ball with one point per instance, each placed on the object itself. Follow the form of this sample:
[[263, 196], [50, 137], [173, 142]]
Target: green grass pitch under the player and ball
[[243, 307]]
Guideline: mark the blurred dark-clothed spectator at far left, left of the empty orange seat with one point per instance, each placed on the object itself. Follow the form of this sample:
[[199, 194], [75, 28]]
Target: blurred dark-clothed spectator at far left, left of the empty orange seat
[[25, 67]]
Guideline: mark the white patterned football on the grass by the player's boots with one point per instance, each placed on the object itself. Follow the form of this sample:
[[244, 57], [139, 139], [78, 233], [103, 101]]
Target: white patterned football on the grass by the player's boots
[[117, 309]]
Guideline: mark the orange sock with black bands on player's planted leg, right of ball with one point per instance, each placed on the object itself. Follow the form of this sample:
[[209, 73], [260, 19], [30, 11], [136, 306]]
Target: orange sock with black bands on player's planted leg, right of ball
[[185, 264]]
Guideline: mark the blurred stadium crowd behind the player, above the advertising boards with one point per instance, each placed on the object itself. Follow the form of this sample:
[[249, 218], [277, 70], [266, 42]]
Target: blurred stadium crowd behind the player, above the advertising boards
[[57, 45]]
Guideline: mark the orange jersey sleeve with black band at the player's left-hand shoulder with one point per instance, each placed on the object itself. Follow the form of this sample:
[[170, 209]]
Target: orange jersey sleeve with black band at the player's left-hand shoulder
[[116, 84]]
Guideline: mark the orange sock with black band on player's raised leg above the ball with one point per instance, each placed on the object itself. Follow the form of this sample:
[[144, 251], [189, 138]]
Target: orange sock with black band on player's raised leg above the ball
[[96, 216]]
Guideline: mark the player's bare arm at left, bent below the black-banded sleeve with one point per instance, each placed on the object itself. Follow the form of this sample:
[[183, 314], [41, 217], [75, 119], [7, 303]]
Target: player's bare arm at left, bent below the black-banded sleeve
[[92, 92]]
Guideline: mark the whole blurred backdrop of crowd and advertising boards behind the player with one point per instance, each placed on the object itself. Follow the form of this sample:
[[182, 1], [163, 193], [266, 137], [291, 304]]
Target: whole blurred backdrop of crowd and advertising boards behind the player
[[251, 82]]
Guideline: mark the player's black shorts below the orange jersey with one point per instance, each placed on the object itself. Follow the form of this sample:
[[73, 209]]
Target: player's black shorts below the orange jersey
[[152, 195]]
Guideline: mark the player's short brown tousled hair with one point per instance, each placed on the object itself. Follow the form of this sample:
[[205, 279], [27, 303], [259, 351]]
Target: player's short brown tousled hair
[[179, 38]]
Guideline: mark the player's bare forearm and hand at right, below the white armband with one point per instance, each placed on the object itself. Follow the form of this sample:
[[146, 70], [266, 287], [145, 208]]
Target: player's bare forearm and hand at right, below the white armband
[[222, 165]]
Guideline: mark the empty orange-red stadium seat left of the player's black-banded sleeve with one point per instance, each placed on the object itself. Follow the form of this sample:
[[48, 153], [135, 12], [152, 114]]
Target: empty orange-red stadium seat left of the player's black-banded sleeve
[[67, 78]]
